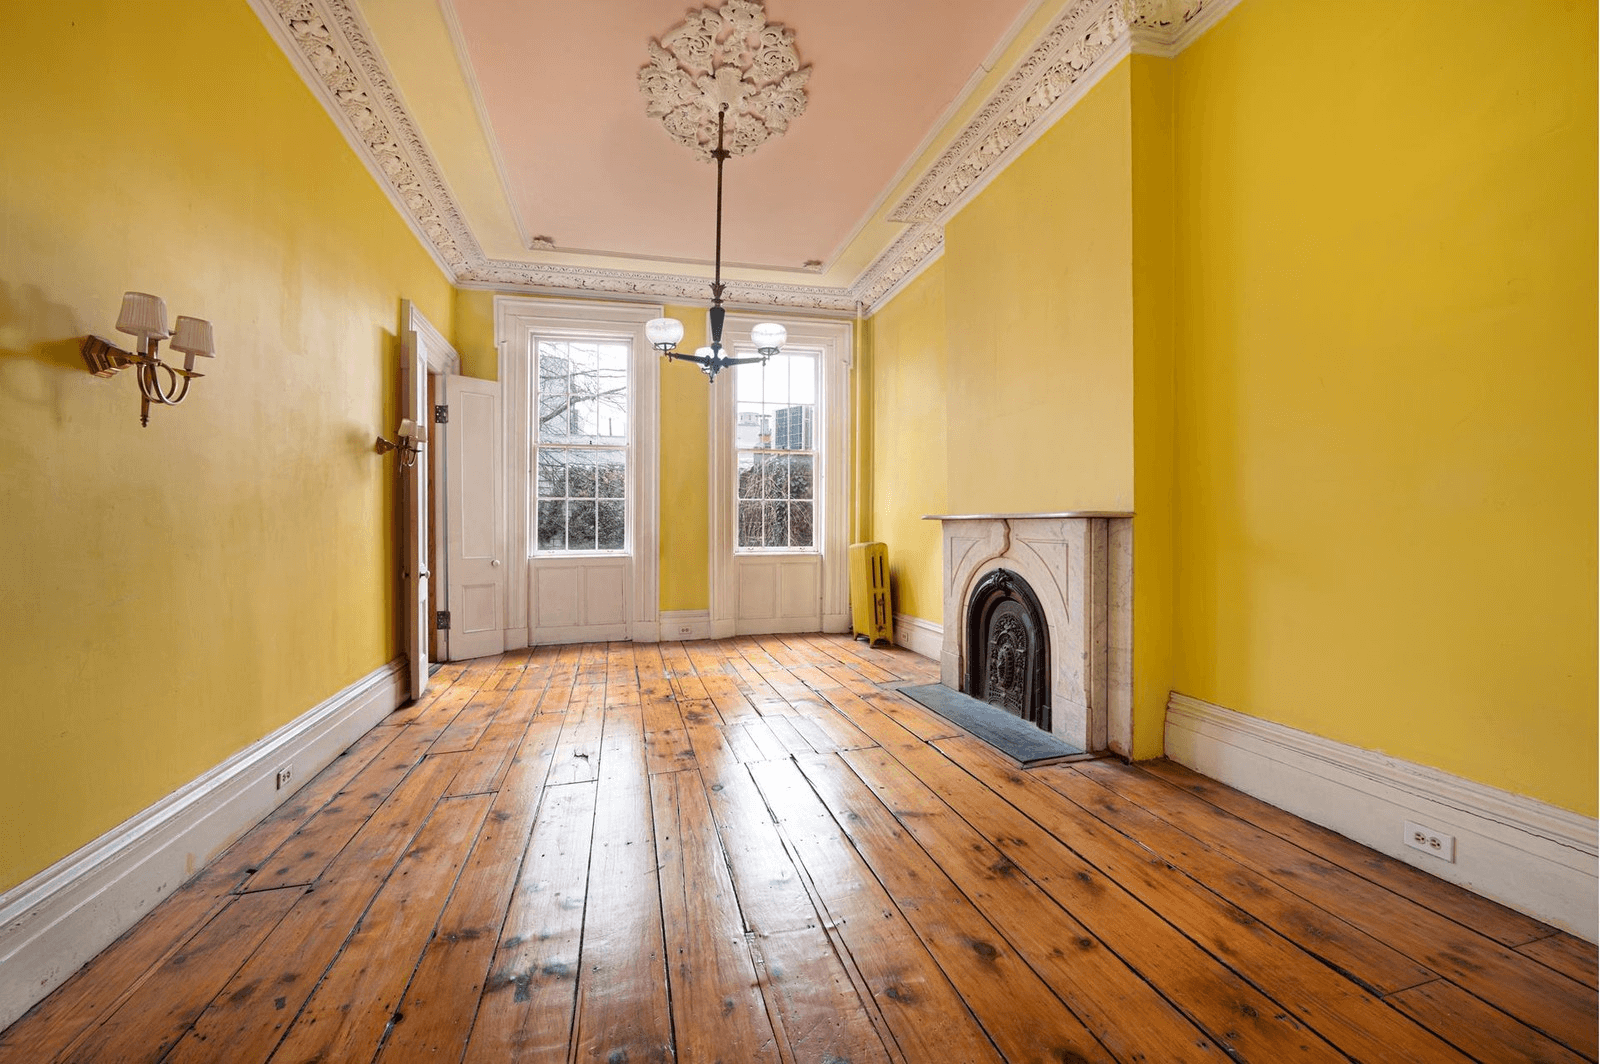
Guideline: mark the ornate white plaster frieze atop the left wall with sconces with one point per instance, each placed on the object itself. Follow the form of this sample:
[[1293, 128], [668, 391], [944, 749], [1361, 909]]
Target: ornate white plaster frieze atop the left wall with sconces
[[332, 46]]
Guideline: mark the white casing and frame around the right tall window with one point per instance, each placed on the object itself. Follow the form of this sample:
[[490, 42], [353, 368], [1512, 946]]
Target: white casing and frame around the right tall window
[[831, 522]]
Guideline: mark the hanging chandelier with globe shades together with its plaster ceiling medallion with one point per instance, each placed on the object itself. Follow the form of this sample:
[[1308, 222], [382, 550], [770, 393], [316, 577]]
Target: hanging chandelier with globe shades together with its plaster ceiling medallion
[[734, 62]]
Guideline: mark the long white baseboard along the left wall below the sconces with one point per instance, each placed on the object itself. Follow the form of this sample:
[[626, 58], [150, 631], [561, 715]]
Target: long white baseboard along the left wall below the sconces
[[57, 921]]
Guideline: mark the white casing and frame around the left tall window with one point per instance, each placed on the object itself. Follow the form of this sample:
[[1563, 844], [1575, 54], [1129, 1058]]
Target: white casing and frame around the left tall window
[[518, 321]]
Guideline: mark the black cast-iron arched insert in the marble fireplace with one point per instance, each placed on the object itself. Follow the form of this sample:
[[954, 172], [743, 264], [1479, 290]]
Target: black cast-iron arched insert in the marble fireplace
[[1009, 647]]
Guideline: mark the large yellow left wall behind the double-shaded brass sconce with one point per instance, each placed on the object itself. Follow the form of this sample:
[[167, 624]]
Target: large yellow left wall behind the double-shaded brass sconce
[[177, 593]]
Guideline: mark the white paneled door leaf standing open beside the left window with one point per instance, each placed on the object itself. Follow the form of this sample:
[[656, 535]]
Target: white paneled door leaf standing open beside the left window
[[476, 518]]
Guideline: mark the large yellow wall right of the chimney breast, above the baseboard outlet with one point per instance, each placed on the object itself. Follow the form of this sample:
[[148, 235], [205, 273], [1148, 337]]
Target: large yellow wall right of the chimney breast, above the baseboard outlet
[[1386, 377]]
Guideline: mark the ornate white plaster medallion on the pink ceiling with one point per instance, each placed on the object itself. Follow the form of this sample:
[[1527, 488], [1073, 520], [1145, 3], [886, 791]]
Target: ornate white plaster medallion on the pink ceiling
[[729, 55]]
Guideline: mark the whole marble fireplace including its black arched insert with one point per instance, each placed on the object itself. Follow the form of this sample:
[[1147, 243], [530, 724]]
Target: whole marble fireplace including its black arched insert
[[1039, 620]]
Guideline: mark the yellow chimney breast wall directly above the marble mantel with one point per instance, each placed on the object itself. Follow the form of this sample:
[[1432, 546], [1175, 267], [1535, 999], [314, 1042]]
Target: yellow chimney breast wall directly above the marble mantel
[[1039, 322]]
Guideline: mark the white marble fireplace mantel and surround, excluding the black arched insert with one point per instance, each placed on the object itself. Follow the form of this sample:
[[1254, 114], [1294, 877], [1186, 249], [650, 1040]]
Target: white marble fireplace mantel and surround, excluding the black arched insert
[[1081, 567]]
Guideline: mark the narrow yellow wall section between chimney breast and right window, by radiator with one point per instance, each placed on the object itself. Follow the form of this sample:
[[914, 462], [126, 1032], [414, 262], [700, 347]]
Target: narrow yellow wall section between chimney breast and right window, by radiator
[[908, 442]]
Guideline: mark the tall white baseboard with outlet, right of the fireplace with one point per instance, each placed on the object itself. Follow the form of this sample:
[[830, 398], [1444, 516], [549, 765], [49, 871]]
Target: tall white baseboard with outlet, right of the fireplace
[[1521, 852]]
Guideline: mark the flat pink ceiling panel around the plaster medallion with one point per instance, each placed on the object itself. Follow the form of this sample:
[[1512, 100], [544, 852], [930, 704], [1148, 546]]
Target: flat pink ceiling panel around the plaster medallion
[[588, 169]]
